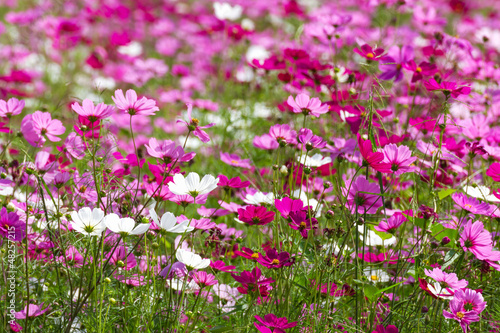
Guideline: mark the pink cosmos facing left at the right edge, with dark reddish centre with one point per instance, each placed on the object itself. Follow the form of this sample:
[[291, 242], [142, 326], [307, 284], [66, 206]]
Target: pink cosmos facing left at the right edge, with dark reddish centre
[[477, 240]]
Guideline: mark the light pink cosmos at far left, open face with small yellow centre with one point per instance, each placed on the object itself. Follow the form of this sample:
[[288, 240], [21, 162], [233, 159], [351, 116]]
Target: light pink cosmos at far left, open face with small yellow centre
[[40, 125]]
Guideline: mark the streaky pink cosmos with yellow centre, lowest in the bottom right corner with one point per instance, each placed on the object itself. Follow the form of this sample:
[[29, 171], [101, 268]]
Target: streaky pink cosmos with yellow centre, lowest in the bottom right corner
[[465, 308]]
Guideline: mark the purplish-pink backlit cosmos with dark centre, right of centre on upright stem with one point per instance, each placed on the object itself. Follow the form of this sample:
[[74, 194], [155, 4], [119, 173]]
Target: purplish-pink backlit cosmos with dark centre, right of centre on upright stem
[[362, 196]]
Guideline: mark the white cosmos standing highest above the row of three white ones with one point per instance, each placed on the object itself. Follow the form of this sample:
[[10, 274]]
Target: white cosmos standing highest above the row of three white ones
[[192, 185]]
